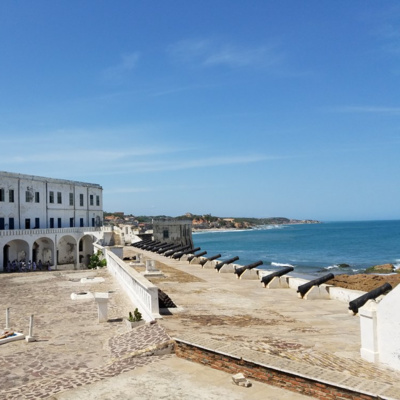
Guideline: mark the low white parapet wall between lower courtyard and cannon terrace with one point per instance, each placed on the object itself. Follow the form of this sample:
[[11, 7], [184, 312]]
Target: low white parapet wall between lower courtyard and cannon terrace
[[142, 293]]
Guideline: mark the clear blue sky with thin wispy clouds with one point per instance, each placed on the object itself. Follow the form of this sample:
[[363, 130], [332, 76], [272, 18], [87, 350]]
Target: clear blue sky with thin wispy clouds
[[261, 108]]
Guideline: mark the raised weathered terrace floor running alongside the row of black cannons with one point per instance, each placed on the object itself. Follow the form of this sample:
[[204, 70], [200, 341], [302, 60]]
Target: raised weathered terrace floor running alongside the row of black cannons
[[318, 334]]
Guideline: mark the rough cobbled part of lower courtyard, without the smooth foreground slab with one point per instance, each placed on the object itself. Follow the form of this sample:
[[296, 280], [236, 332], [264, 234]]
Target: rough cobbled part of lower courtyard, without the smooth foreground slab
[[72, 348]]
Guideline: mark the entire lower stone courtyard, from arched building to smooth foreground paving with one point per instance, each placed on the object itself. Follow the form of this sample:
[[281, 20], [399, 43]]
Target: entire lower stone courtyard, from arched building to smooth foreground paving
[[77, 357]]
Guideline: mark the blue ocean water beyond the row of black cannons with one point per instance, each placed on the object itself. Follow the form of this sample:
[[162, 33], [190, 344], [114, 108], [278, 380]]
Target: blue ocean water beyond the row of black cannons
[[311, 249]]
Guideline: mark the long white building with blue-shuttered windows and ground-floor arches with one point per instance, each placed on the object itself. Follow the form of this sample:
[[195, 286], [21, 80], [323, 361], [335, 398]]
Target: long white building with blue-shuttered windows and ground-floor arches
[[52, 220]]
